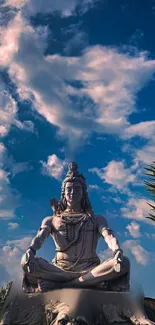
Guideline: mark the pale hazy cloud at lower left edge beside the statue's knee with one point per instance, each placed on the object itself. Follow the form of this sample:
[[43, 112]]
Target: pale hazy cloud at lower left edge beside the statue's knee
[[10, 256]]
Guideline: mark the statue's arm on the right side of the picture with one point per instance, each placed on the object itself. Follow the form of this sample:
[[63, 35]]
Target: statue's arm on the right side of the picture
[[107, 234]]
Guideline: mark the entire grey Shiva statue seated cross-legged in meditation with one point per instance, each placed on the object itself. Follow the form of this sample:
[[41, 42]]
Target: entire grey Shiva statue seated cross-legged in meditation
[[75, 230]]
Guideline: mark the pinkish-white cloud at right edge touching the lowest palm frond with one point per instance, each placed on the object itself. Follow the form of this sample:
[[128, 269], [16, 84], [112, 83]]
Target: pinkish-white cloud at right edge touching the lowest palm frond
[[137, 209]]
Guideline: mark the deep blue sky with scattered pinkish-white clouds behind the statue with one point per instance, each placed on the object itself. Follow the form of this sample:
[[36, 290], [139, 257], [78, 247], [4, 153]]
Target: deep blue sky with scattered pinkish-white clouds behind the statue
[[77, 83]]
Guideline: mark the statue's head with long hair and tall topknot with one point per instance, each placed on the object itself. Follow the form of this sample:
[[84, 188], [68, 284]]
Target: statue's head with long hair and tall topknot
[[74, 190]]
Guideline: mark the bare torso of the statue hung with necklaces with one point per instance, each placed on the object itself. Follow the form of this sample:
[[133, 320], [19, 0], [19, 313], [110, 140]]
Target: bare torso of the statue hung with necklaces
[[68, 247]]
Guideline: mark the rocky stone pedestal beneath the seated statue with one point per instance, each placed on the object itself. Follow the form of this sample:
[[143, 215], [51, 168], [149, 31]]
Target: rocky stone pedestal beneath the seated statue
[[71, 307]]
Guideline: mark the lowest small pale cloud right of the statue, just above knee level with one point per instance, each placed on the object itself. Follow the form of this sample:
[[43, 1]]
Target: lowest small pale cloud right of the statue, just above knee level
[[141, 255]]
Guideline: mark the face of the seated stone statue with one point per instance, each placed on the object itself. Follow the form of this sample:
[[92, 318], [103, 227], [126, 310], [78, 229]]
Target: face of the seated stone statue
[[73, 192]]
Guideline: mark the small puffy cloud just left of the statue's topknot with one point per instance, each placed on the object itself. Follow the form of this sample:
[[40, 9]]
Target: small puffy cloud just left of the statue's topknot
[[54, 167]]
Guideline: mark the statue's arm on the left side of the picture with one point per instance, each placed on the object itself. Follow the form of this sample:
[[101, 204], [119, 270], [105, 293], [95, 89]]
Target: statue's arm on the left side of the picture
[[43, 233]]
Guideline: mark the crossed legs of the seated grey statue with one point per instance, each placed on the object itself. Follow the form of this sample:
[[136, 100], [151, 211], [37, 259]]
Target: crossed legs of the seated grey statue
[[49, 276]]
